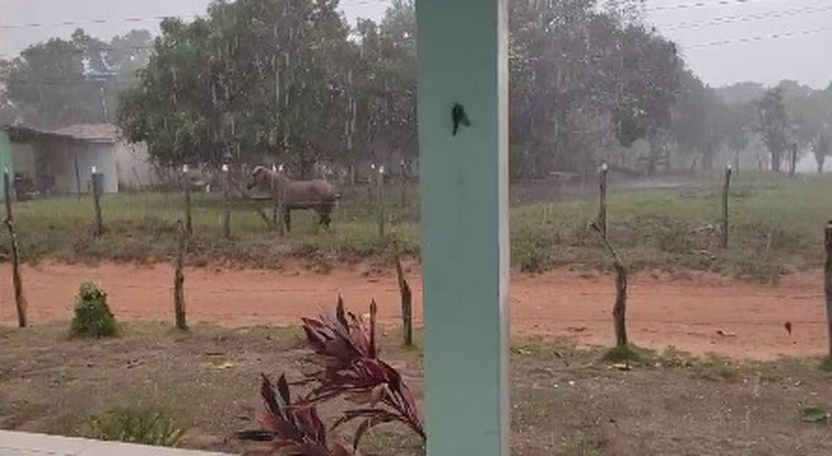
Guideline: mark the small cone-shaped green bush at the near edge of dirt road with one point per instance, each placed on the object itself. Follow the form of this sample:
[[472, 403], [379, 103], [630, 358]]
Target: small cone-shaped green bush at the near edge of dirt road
[[92, 314]]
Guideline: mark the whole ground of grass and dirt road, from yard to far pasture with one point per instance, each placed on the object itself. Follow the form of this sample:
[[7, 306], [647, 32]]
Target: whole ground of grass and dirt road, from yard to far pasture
[[713, 379]]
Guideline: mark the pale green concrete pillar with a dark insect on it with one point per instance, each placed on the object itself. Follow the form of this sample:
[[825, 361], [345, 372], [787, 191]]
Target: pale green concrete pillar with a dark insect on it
[[463, 46]]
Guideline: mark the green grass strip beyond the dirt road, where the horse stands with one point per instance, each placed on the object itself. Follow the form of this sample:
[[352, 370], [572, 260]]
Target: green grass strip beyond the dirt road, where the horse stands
[[776, 226]]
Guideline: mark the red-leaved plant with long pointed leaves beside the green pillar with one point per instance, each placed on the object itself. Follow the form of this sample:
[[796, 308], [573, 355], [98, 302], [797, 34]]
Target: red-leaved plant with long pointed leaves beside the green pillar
[[346, 350]]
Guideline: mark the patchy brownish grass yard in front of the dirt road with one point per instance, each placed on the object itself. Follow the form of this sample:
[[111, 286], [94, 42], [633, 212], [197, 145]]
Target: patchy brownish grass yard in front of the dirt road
[[564, 401]]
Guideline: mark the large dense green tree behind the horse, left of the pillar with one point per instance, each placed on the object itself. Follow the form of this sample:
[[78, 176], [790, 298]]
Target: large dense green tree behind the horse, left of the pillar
[[254, 77]]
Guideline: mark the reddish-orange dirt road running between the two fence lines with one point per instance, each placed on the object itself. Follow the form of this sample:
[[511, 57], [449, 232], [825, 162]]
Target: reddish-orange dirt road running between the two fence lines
[[688, 313]]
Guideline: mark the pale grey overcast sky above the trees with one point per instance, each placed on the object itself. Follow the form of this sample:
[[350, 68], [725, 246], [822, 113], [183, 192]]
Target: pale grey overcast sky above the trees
[[707, 31]]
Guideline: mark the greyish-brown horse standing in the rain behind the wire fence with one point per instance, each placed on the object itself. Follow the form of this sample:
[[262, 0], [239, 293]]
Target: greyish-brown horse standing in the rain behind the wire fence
[[317, 194]]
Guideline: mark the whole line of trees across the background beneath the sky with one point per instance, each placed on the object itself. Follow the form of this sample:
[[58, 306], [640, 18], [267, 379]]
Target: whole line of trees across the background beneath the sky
[[292, 81]]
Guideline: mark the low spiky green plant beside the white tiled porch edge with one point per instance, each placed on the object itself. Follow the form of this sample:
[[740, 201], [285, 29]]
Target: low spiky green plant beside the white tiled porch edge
[[136, 426]]
